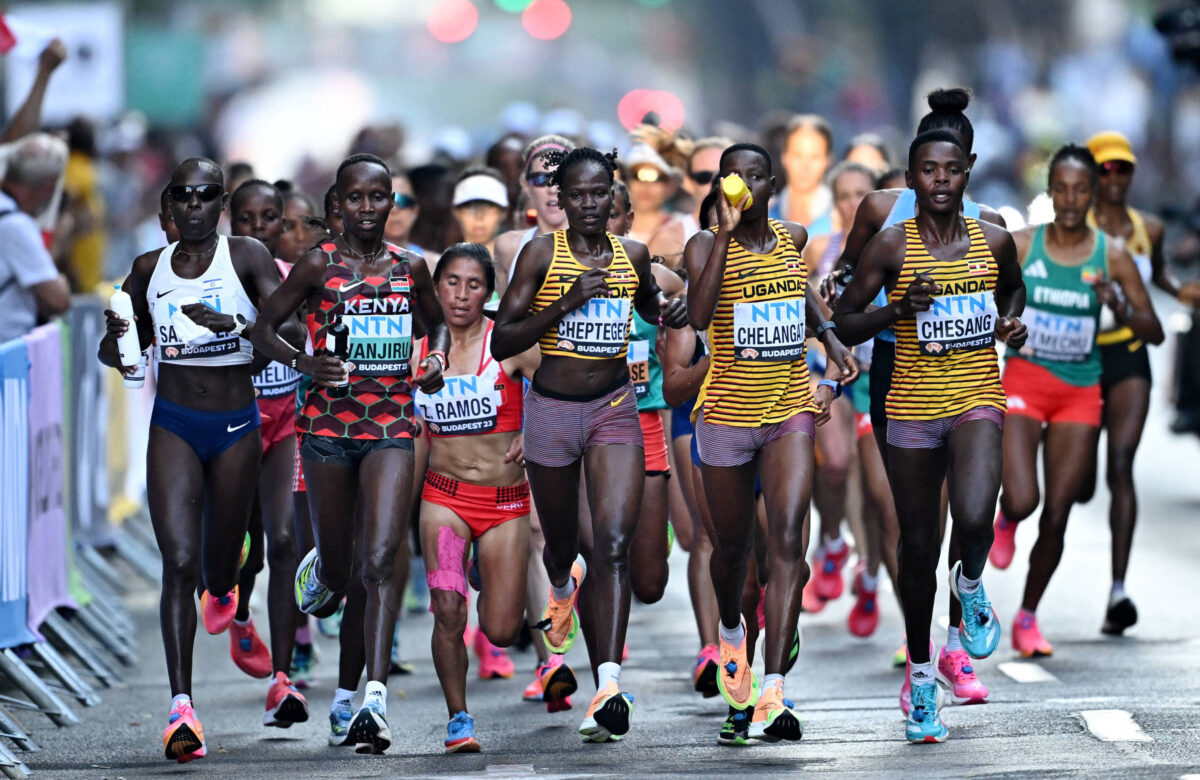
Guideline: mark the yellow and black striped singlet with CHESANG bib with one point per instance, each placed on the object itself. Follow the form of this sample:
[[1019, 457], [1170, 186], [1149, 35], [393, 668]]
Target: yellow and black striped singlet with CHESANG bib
[[946, 358]]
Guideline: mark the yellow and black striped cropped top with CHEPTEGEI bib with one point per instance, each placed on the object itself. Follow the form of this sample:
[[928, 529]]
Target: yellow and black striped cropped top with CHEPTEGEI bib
[[599, 329]]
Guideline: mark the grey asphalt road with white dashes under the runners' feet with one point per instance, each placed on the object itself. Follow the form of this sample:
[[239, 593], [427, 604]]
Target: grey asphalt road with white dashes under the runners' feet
[[1061, 722]]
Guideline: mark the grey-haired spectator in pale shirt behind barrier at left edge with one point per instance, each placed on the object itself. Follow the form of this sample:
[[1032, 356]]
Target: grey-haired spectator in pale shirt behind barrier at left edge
[[31, 285]]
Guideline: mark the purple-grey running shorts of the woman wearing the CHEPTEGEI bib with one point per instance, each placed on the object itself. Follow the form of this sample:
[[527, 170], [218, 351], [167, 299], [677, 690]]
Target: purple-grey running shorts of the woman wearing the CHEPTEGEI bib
[[560, 429]]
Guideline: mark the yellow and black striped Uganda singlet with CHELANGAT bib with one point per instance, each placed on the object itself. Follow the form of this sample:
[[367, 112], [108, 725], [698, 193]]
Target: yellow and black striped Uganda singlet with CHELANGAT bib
[[757, 375]]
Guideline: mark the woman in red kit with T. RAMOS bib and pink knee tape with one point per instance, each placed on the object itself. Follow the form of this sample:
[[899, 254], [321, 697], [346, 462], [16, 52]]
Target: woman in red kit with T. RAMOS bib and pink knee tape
[[476, 489]]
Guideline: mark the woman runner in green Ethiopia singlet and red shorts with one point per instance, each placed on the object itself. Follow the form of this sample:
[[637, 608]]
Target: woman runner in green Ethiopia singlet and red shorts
[[1053, 385]]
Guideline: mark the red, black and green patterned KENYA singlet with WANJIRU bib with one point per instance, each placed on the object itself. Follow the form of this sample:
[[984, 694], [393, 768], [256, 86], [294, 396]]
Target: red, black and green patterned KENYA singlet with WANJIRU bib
[[377, 310]]
